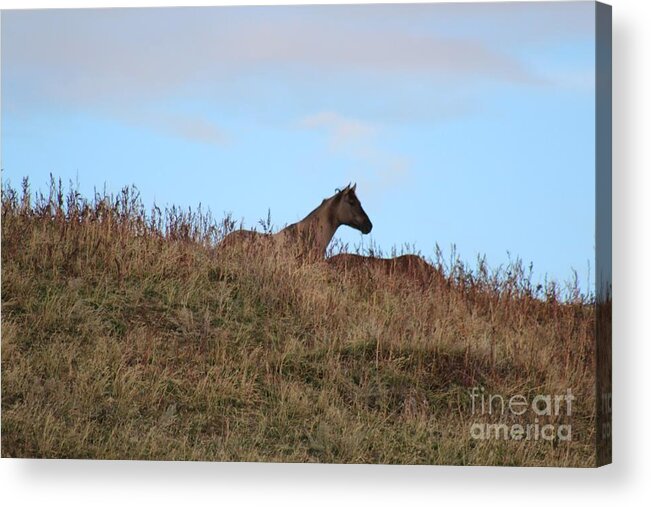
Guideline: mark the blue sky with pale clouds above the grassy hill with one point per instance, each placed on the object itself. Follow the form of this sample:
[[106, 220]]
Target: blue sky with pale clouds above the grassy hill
[[465, 124]]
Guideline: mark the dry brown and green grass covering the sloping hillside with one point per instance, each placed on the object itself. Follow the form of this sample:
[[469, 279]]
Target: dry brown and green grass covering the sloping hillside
[[125, 337]]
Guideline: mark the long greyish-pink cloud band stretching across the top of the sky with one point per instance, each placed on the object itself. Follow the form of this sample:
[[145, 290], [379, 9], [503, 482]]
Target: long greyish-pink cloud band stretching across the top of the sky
[[108, 56]]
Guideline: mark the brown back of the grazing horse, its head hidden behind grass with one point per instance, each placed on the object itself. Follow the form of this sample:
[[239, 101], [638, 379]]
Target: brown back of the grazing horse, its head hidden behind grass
[[410, 268]]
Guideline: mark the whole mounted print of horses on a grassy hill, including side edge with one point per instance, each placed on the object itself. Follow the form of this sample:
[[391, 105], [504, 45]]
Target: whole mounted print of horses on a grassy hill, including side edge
[[336, 234]]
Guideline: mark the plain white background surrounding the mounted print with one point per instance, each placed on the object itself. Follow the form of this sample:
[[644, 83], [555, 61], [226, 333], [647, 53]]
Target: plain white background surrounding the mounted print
[[51, 482]]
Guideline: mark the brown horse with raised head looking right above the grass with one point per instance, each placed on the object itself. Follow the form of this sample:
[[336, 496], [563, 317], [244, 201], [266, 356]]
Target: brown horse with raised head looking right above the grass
[[309, 237]]
